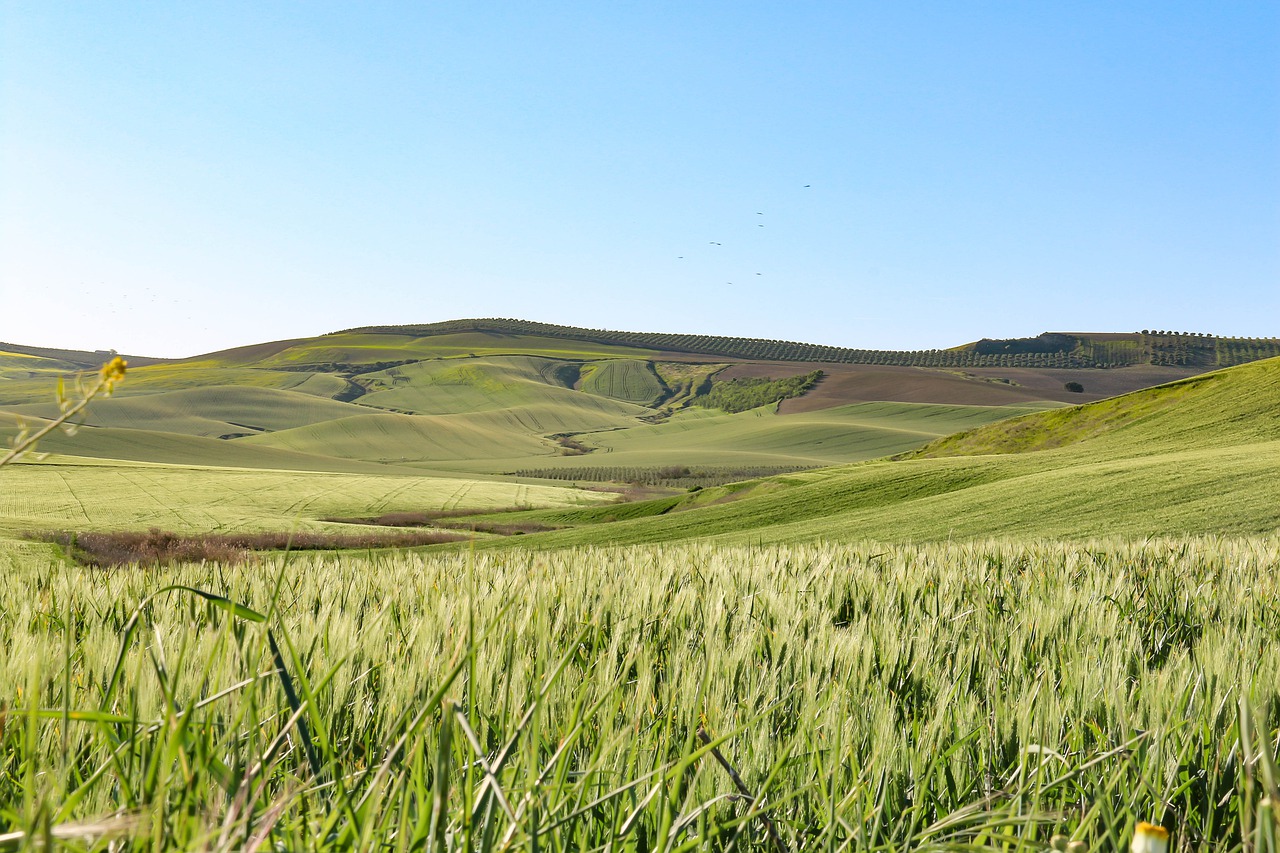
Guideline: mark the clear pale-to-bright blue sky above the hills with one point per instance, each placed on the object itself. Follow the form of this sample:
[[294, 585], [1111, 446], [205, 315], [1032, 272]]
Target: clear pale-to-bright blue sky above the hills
[[184, 177]]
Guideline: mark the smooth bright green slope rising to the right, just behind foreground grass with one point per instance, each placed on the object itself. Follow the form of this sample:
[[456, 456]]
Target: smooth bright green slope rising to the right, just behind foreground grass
[[1196, 457]]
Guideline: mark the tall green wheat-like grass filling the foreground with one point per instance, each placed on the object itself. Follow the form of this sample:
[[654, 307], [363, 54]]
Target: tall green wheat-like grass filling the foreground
[[815, 697]]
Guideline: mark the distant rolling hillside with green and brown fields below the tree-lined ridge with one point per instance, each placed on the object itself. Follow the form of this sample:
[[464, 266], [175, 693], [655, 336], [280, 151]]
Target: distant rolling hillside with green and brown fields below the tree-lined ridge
[[465, 400]]
